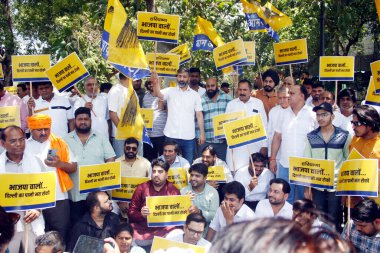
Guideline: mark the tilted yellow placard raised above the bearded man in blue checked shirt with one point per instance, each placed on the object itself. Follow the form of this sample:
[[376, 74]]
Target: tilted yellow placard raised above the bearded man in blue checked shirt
[[229, 54]]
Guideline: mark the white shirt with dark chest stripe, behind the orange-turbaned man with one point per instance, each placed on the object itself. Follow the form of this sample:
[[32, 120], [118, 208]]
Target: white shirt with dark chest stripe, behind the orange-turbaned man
[[60, 111]]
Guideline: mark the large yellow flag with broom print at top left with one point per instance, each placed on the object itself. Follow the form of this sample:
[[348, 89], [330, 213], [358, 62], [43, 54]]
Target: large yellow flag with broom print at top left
[[123, 42]]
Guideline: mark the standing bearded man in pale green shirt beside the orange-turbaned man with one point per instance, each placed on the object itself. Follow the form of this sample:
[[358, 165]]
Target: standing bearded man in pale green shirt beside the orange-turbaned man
[[89, 148]]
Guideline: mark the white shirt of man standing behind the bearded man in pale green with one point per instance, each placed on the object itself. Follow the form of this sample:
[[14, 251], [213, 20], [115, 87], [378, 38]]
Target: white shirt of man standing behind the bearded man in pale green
[[100, 107]]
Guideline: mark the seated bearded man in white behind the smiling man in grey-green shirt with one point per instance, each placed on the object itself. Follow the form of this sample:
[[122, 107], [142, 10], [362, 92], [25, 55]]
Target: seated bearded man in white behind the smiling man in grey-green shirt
[[210, 158]]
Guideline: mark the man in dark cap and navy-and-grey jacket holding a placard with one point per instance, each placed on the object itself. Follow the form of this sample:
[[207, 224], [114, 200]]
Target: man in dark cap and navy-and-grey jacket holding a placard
[[330, 143]]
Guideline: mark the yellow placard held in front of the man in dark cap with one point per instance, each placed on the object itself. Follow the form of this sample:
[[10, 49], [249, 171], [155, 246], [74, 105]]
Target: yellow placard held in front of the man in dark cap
[[311, 172]]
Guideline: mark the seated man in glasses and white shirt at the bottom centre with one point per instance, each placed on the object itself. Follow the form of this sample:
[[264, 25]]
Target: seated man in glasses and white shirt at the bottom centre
[[192, 232]]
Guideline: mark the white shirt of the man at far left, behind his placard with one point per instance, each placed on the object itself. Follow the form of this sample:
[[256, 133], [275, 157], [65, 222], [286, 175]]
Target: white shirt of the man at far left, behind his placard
[[29, 164]]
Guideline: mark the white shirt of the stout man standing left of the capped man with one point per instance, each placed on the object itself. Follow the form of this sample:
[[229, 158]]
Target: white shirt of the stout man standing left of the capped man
[[293, 130]]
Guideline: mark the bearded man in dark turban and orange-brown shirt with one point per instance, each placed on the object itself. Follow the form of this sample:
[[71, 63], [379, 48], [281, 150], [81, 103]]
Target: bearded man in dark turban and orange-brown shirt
[[268, 94]]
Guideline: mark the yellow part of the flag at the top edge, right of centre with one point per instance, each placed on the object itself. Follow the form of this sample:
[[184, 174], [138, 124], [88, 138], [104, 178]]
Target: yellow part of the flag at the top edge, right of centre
[[268, 13]]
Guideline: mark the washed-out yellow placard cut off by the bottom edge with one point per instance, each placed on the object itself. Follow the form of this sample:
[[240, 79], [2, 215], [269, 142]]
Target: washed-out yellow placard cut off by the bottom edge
[[161, 245]]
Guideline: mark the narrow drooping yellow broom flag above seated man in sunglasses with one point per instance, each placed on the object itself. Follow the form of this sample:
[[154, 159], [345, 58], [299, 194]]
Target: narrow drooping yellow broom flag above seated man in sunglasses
[[131, 122]]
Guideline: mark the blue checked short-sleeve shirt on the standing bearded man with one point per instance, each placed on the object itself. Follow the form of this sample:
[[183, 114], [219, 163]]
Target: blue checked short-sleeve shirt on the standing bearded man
[[211, 109]]
